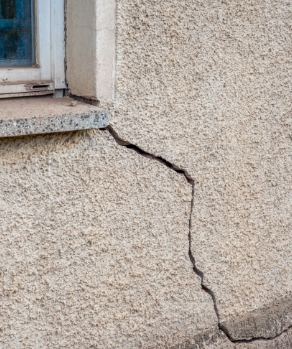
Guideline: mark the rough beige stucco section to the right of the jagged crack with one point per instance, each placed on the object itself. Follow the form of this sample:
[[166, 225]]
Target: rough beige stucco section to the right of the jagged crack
[[206, 85]]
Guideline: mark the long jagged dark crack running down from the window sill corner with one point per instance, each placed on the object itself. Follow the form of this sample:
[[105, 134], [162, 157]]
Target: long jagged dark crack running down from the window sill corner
[[197, 271]]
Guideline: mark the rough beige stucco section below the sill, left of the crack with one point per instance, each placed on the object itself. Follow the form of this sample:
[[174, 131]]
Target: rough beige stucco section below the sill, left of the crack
[[94, 247]]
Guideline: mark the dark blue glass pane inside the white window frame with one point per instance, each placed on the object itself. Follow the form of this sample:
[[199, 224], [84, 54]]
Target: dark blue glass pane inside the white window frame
[[16, 33]]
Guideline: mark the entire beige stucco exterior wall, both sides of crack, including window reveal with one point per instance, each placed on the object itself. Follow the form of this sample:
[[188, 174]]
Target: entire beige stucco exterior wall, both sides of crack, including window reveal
[[94, 236]]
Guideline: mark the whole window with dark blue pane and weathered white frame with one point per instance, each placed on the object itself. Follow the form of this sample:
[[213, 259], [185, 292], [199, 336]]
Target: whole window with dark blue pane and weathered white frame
[[32, 48]]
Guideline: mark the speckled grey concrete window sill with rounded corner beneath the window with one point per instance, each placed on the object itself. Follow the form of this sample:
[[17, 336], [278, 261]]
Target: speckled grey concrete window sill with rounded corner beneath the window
[[28, 116]]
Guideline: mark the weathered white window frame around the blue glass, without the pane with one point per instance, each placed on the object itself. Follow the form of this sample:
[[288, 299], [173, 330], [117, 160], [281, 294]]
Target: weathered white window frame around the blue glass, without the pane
[[48, 75]]
